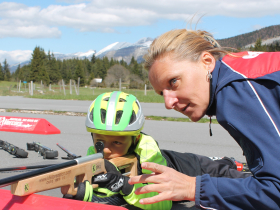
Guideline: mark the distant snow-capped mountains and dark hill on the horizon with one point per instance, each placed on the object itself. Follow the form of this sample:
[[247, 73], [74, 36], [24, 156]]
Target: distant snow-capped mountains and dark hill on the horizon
[[125, 50]]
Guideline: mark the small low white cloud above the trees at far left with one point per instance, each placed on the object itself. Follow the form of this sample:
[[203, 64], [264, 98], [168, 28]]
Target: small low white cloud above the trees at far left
[[16, 56]]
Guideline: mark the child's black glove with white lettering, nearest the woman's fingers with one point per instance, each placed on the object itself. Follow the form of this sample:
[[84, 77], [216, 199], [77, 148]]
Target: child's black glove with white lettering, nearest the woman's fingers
[[114, 181]]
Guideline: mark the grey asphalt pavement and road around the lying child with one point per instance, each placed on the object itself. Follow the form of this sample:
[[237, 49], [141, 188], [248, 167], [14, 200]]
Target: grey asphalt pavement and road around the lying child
[[177, 136]]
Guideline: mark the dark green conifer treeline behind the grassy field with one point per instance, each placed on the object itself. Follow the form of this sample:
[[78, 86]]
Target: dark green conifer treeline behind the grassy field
[[46, 68]]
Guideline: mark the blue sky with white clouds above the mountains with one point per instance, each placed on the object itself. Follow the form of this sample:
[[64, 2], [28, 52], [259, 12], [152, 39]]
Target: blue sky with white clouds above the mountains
[[70, 26]]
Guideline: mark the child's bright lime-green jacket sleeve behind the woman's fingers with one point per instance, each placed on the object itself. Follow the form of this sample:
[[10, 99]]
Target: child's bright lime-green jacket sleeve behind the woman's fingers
[[148, 151]]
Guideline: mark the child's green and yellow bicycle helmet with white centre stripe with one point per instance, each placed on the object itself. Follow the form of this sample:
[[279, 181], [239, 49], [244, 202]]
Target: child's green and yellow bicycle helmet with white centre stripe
[[116, 114]]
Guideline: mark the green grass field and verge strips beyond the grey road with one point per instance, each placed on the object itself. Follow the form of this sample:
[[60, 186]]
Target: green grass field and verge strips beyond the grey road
[[10, 88]]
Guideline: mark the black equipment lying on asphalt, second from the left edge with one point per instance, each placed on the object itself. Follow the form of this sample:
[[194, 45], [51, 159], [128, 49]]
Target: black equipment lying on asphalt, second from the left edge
[[46, 152]]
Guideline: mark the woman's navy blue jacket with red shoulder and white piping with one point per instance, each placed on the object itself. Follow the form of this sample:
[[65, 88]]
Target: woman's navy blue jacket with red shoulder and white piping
[[245, 98]]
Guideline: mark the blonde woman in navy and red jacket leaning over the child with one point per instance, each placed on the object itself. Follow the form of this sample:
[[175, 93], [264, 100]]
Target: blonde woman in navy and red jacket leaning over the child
[[197, 77]]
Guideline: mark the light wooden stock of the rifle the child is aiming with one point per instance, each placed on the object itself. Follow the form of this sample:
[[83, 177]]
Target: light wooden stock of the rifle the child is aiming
[[65, 177]]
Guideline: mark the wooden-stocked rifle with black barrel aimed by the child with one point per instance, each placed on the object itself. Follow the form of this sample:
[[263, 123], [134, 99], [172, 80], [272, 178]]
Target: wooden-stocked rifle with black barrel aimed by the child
[[64, 175]]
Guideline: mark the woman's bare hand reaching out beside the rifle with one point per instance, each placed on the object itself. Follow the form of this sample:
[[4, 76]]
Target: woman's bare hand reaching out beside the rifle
[[170, 184]]
